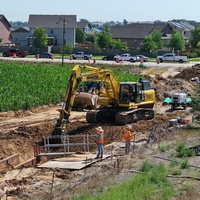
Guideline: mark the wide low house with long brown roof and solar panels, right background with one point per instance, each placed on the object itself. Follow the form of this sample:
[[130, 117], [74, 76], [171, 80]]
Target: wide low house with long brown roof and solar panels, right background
[[135, 33]]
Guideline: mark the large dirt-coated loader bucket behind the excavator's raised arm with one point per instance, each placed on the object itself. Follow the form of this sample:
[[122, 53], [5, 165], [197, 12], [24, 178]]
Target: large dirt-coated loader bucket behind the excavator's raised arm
[[85, 100]]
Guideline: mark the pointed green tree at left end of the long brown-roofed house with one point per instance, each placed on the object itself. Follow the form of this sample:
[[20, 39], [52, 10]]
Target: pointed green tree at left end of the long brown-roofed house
[[104, 39]]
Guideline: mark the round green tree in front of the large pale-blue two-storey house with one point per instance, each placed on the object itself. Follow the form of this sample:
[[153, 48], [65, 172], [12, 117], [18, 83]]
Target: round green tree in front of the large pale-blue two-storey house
[[40, 38]]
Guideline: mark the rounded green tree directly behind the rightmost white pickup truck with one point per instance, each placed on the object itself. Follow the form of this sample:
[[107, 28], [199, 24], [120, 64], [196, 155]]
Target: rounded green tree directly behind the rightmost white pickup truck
[[176, 42]]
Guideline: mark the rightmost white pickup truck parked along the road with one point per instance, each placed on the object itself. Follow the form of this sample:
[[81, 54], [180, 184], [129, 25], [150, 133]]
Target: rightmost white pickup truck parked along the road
[[172, 57]]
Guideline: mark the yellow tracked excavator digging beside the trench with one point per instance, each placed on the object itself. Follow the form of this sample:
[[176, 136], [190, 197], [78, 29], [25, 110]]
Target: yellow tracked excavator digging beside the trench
[[126, 102]]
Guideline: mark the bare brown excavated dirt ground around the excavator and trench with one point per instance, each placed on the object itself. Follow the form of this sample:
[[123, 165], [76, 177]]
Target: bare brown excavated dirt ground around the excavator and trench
[[30, 169]]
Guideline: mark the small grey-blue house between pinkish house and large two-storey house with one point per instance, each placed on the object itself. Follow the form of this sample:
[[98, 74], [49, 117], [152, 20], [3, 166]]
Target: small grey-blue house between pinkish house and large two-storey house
[[20, 35]]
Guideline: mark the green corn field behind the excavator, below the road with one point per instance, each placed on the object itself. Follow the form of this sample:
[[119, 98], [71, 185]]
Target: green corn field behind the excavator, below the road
[[27, 85]]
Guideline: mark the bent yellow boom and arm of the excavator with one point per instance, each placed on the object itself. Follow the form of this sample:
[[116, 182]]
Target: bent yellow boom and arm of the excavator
[[110, 84]]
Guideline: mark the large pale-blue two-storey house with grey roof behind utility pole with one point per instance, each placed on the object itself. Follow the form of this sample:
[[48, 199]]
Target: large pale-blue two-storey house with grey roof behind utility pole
[[59, 28]]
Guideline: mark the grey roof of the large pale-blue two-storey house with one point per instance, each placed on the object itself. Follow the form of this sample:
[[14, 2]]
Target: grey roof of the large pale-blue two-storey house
[[55, 21]]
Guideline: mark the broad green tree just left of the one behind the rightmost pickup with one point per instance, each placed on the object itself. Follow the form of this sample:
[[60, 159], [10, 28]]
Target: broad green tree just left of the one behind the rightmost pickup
[[152, 43]]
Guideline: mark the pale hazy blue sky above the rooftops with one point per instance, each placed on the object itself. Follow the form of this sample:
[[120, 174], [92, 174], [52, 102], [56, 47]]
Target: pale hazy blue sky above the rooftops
[[104, 10]]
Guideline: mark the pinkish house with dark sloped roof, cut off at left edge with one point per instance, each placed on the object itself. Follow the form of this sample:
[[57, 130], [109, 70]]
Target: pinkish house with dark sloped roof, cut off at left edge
[[5, 34]]
